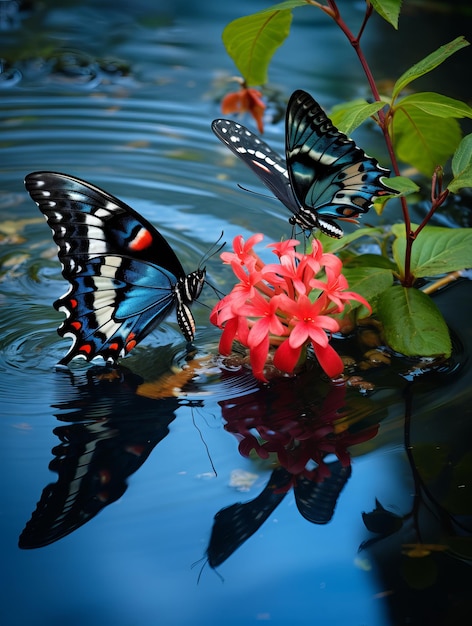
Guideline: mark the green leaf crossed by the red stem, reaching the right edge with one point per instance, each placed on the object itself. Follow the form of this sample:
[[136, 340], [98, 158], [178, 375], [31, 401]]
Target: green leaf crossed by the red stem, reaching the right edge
[[437, 250]]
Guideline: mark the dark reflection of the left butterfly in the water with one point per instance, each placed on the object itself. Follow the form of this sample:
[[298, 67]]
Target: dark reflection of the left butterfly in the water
[[111, 431]]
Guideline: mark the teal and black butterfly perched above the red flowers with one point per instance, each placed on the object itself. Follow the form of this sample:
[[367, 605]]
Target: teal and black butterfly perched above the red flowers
[[324, 177]]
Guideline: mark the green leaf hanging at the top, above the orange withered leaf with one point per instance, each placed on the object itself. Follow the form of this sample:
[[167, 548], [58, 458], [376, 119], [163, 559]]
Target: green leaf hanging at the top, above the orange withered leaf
[[251, 41]]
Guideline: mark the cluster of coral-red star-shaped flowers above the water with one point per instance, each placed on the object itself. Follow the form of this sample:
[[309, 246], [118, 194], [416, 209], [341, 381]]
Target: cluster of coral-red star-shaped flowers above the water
[[285, 305]]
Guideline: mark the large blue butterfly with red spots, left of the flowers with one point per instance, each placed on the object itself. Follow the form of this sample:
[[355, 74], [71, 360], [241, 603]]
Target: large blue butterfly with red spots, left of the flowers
[[124, 277]]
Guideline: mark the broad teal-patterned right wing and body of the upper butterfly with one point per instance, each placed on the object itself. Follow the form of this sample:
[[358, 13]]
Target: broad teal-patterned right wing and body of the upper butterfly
[[330, 175]]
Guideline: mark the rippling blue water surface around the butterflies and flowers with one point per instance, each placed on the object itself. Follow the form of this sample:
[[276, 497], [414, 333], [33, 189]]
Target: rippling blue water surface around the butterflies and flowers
[[123, 95]]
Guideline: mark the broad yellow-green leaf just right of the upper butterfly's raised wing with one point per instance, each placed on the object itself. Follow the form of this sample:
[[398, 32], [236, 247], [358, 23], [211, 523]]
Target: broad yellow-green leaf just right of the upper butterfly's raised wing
[[422, 140]]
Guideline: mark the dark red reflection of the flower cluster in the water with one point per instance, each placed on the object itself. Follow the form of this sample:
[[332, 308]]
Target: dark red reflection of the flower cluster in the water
[[300, 431]]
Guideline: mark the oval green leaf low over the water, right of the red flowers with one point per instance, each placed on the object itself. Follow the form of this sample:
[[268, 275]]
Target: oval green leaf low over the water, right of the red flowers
[[412, 323]]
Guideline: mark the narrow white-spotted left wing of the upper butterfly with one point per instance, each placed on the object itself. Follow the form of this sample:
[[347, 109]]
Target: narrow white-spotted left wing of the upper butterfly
[[259, 157]]
